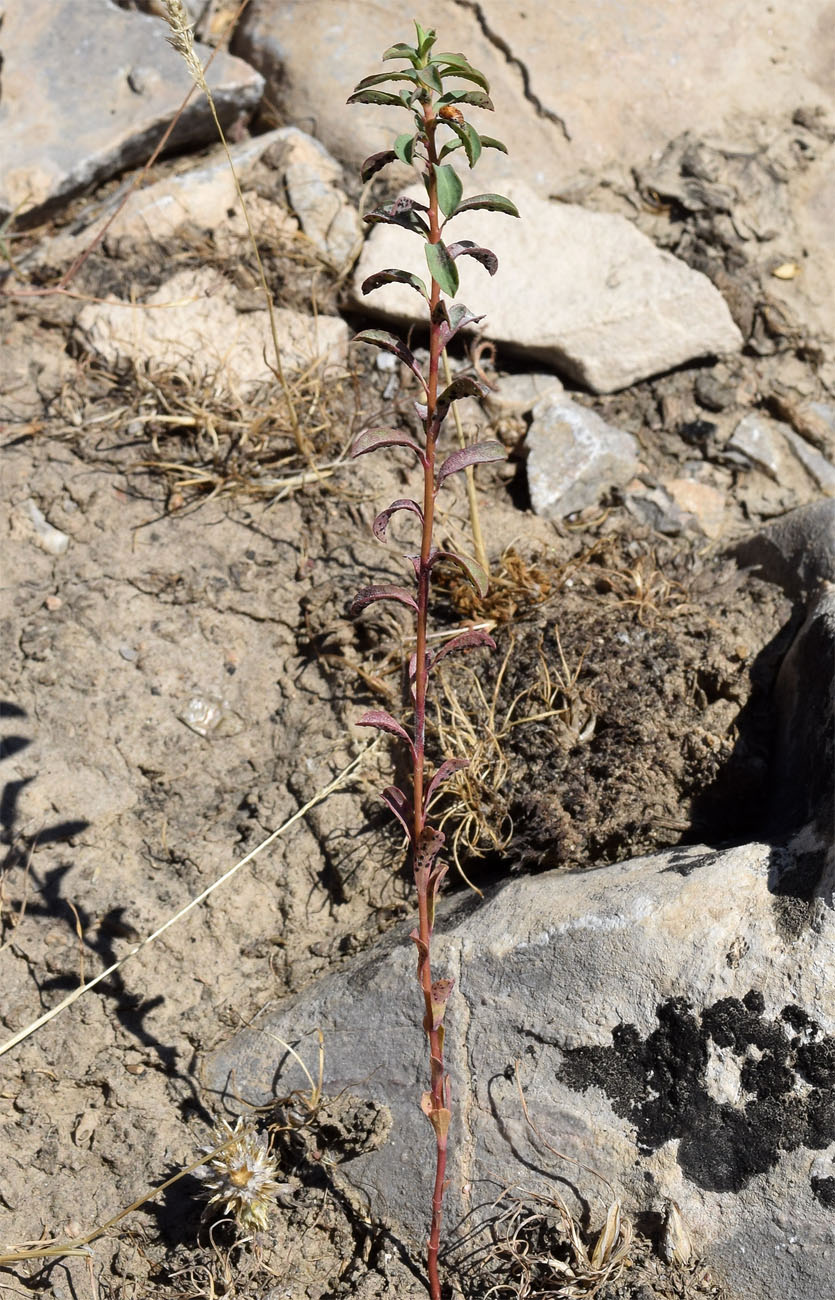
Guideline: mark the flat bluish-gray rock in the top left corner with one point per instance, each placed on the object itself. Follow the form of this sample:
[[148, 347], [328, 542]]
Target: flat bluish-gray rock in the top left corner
[[88, 90]]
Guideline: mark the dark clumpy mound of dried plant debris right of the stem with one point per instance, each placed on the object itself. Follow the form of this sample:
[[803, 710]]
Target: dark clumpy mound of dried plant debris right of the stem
[[620, 717]]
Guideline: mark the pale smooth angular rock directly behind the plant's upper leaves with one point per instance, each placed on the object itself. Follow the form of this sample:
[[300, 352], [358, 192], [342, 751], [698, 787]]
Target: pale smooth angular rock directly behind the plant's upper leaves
[[585, 292]]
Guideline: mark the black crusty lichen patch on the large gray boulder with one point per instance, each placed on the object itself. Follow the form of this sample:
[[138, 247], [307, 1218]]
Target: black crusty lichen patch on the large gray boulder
[[660, 1085]]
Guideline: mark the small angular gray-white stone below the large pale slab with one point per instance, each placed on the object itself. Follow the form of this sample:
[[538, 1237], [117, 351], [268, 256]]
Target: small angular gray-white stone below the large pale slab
[[574, 457]]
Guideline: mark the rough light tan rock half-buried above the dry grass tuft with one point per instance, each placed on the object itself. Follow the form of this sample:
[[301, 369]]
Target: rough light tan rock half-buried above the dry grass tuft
[[192, 324]]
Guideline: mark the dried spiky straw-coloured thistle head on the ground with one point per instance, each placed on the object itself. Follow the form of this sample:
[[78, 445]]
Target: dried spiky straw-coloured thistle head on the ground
[[241, 1178]]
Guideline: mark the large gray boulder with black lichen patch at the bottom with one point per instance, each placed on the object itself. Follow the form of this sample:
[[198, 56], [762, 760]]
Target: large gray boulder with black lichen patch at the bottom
[[673, 1021]]
